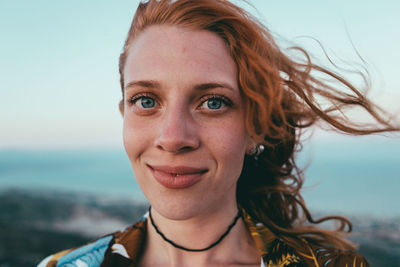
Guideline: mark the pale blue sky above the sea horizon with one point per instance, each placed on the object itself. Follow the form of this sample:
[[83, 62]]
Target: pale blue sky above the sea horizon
[[59, 83]]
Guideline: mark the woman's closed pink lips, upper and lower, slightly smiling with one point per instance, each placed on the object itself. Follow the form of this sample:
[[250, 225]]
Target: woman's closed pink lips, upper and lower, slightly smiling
[[178, 177]]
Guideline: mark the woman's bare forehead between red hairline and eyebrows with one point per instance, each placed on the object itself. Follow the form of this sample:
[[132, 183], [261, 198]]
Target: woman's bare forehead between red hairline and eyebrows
[[172, 51]]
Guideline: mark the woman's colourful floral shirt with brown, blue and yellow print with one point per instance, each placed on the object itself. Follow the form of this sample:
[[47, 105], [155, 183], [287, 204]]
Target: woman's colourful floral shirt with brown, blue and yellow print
[[123, 249]]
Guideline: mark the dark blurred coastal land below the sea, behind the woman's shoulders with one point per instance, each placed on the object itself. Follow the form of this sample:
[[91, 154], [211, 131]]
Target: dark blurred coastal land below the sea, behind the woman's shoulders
[[34, 225]]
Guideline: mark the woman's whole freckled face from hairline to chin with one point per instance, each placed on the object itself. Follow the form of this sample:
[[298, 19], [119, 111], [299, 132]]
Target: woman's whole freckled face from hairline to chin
[[184, 128]]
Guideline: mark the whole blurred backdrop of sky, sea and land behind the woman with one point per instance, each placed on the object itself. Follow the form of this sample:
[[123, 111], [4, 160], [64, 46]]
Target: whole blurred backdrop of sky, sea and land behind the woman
[[64, 177]]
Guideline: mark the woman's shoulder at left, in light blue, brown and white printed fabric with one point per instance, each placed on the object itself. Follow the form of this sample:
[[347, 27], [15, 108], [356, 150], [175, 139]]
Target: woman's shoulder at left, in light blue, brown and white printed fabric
[[121, 246]]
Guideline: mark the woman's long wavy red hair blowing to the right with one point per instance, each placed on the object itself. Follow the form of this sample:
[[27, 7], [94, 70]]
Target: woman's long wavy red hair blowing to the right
[[282, 96]]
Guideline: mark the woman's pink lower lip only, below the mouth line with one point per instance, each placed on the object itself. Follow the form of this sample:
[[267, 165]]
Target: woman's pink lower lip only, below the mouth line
[[176, 182]]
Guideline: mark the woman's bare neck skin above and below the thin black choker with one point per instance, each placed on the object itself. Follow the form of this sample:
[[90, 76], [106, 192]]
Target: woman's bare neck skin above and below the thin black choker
[[198, 233]]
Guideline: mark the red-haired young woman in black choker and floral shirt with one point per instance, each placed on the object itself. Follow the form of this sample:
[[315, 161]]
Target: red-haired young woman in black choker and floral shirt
[[213, 111]]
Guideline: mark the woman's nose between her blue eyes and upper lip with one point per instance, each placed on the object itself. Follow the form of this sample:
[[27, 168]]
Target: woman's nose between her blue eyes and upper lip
[[177, 132]]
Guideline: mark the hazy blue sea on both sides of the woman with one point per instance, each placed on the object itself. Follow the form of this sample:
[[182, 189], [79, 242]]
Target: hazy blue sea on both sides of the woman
[[344, 176]]
